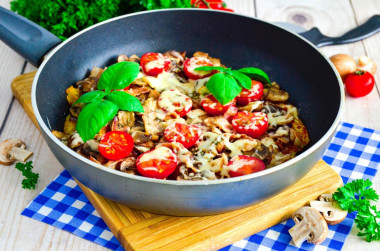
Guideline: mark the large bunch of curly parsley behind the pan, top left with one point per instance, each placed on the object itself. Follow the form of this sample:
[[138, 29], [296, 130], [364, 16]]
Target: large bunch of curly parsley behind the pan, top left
[[66, 17]]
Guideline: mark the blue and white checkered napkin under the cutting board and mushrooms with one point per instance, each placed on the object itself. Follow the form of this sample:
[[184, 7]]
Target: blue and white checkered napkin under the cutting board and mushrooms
[[354, 153]]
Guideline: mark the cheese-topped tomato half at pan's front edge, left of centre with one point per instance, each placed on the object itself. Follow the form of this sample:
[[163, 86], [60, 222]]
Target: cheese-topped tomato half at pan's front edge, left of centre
[[158, 163]]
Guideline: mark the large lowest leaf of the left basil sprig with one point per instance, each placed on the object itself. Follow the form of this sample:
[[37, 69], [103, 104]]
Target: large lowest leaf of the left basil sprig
[[93, 117]]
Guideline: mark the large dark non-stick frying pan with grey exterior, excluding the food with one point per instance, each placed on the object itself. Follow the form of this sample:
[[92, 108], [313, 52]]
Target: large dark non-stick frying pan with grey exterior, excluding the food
[[239, 41]]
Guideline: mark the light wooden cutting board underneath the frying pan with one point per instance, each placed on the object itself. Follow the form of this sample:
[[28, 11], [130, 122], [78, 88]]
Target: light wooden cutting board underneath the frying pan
[[138, 230]]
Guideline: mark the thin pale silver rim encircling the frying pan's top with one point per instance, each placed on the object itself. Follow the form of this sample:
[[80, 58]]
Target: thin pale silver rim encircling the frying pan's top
[[284, 165]]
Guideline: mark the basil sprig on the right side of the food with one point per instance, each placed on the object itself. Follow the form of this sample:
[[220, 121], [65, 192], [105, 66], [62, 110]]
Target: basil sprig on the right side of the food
[[227, 83]]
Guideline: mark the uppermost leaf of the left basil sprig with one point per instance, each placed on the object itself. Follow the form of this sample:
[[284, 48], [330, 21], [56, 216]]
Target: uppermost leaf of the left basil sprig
[[118, 76]]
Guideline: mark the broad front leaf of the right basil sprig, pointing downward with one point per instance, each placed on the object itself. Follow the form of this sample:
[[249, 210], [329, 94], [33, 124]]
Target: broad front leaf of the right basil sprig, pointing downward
[[224, 87]]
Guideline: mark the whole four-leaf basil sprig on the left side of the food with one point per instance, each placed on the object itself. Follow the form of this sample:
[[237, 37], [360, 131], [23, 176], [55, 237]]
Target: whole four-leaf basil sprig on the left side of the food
[[104, 103]]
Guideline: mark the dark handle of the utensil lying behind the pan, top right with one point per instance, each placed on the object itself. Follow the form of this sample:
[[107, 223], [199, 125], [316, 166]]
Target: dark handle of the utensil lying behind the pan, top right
[[363, 31]]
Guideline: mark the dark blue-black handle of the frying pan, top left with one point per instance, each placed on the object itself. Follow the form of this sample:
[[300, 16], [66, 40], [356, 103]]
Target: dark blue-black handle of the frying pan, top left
[[25, 37]]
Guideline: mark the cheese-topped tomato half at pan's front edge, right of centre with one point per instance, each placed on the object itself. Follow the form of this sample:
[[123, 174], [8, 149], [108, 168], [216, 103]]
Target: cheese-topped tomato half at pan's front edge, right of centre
[[242, 165]]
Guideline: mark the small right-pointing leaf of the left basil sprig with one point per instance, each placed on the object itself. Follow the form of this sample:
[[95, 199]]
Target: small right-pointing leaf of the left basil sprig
[[125, 101]]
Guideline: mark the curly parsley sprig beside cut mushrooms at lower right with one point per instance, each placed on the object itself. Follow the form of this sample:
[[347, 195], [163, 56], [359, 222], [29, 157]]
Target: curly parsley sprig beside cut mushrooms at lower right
[[357, 196]]
